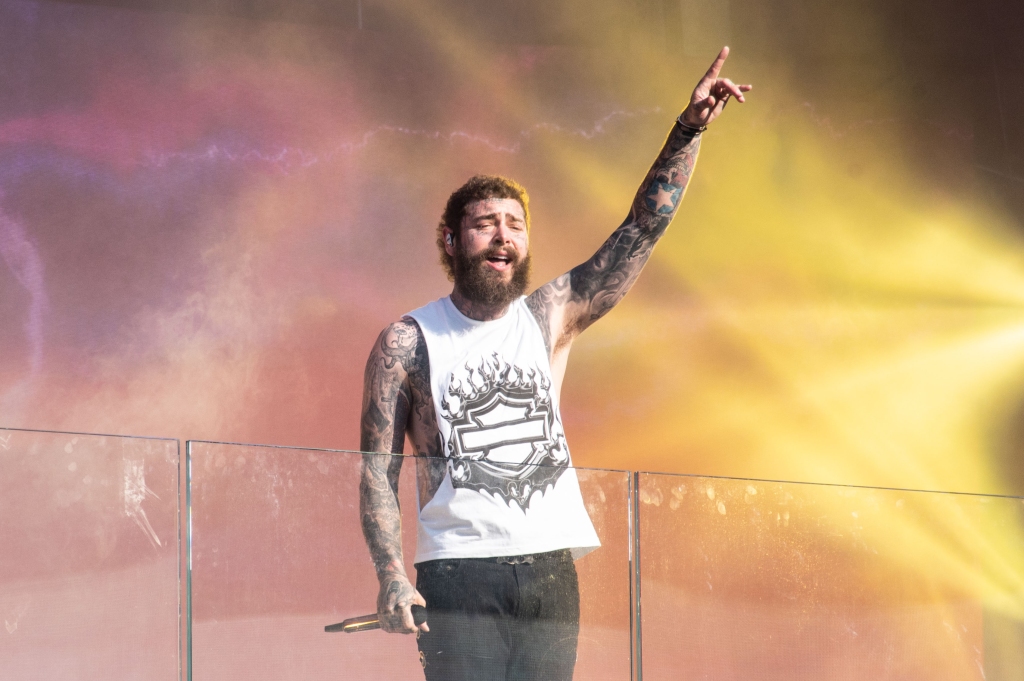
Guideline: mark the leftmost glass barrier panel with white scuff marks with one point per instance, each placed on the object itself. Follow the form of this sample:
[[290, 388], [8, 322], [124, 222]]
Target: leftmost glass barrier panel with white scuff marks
[[89, 558]]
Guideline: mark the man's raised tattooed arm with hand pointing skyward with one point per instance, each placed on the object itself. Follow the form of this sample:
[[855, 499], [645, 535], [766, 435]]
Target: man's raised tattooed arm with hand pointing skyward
[[572, 303]]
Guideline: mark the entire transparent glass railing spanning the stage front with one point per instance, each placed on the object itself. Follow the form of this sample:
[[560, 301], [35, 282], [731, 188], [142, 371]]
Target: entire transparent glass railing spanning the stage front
[[696, 578]]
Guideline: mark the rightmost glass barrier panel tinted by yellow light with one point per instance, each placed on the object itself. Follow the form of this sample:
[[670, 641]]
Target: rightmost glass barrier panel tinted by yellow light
[[776, 581]]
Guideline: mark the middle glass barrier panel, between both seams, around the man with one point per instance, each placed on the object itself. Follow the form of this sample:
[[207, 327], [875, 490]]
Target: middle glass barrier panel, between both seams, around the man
[[278, 555]]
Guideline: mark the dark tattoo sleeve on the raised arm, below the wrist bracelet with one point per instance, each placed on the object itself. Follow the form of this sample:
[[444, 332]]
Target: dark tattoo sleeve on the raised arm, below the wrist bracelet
[[602, 282]]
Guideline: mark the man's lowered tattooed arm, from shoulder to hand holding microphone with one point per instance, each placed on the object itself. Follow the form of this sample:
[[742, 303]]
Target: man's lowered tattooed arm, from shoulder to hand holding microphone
[[398, 360]]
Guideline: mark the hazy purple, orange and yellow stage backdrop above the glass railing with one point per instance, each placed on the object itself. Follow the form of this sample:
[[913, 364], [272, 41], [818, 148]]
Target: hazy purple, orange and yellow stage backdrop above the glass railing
[[209, 210]]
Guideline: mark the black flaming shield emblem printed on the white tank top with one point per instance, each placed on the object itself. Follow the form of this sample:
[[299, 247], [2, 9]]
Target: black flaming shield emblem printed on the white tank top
[[506, 438]]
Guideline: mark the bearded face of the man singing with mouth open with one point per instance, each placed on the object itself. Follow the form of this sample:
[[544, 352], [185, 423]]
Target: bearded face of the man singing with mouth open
[[492, 254]]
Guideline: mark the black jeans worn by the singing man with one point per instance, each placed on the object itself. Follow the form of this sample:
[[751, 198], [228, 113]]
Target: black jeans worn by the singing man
[[496, 622]]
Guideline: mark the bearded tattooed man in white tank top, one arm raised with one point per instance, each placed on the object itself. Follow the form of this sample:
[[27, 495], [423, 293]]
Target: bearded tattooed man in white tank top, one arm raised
[[474, 381]]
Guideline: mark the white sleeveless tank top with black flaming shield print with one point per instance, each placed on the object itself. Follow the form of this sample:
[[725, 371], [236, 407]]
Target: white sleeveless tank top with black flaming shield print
[[509, 488]]
